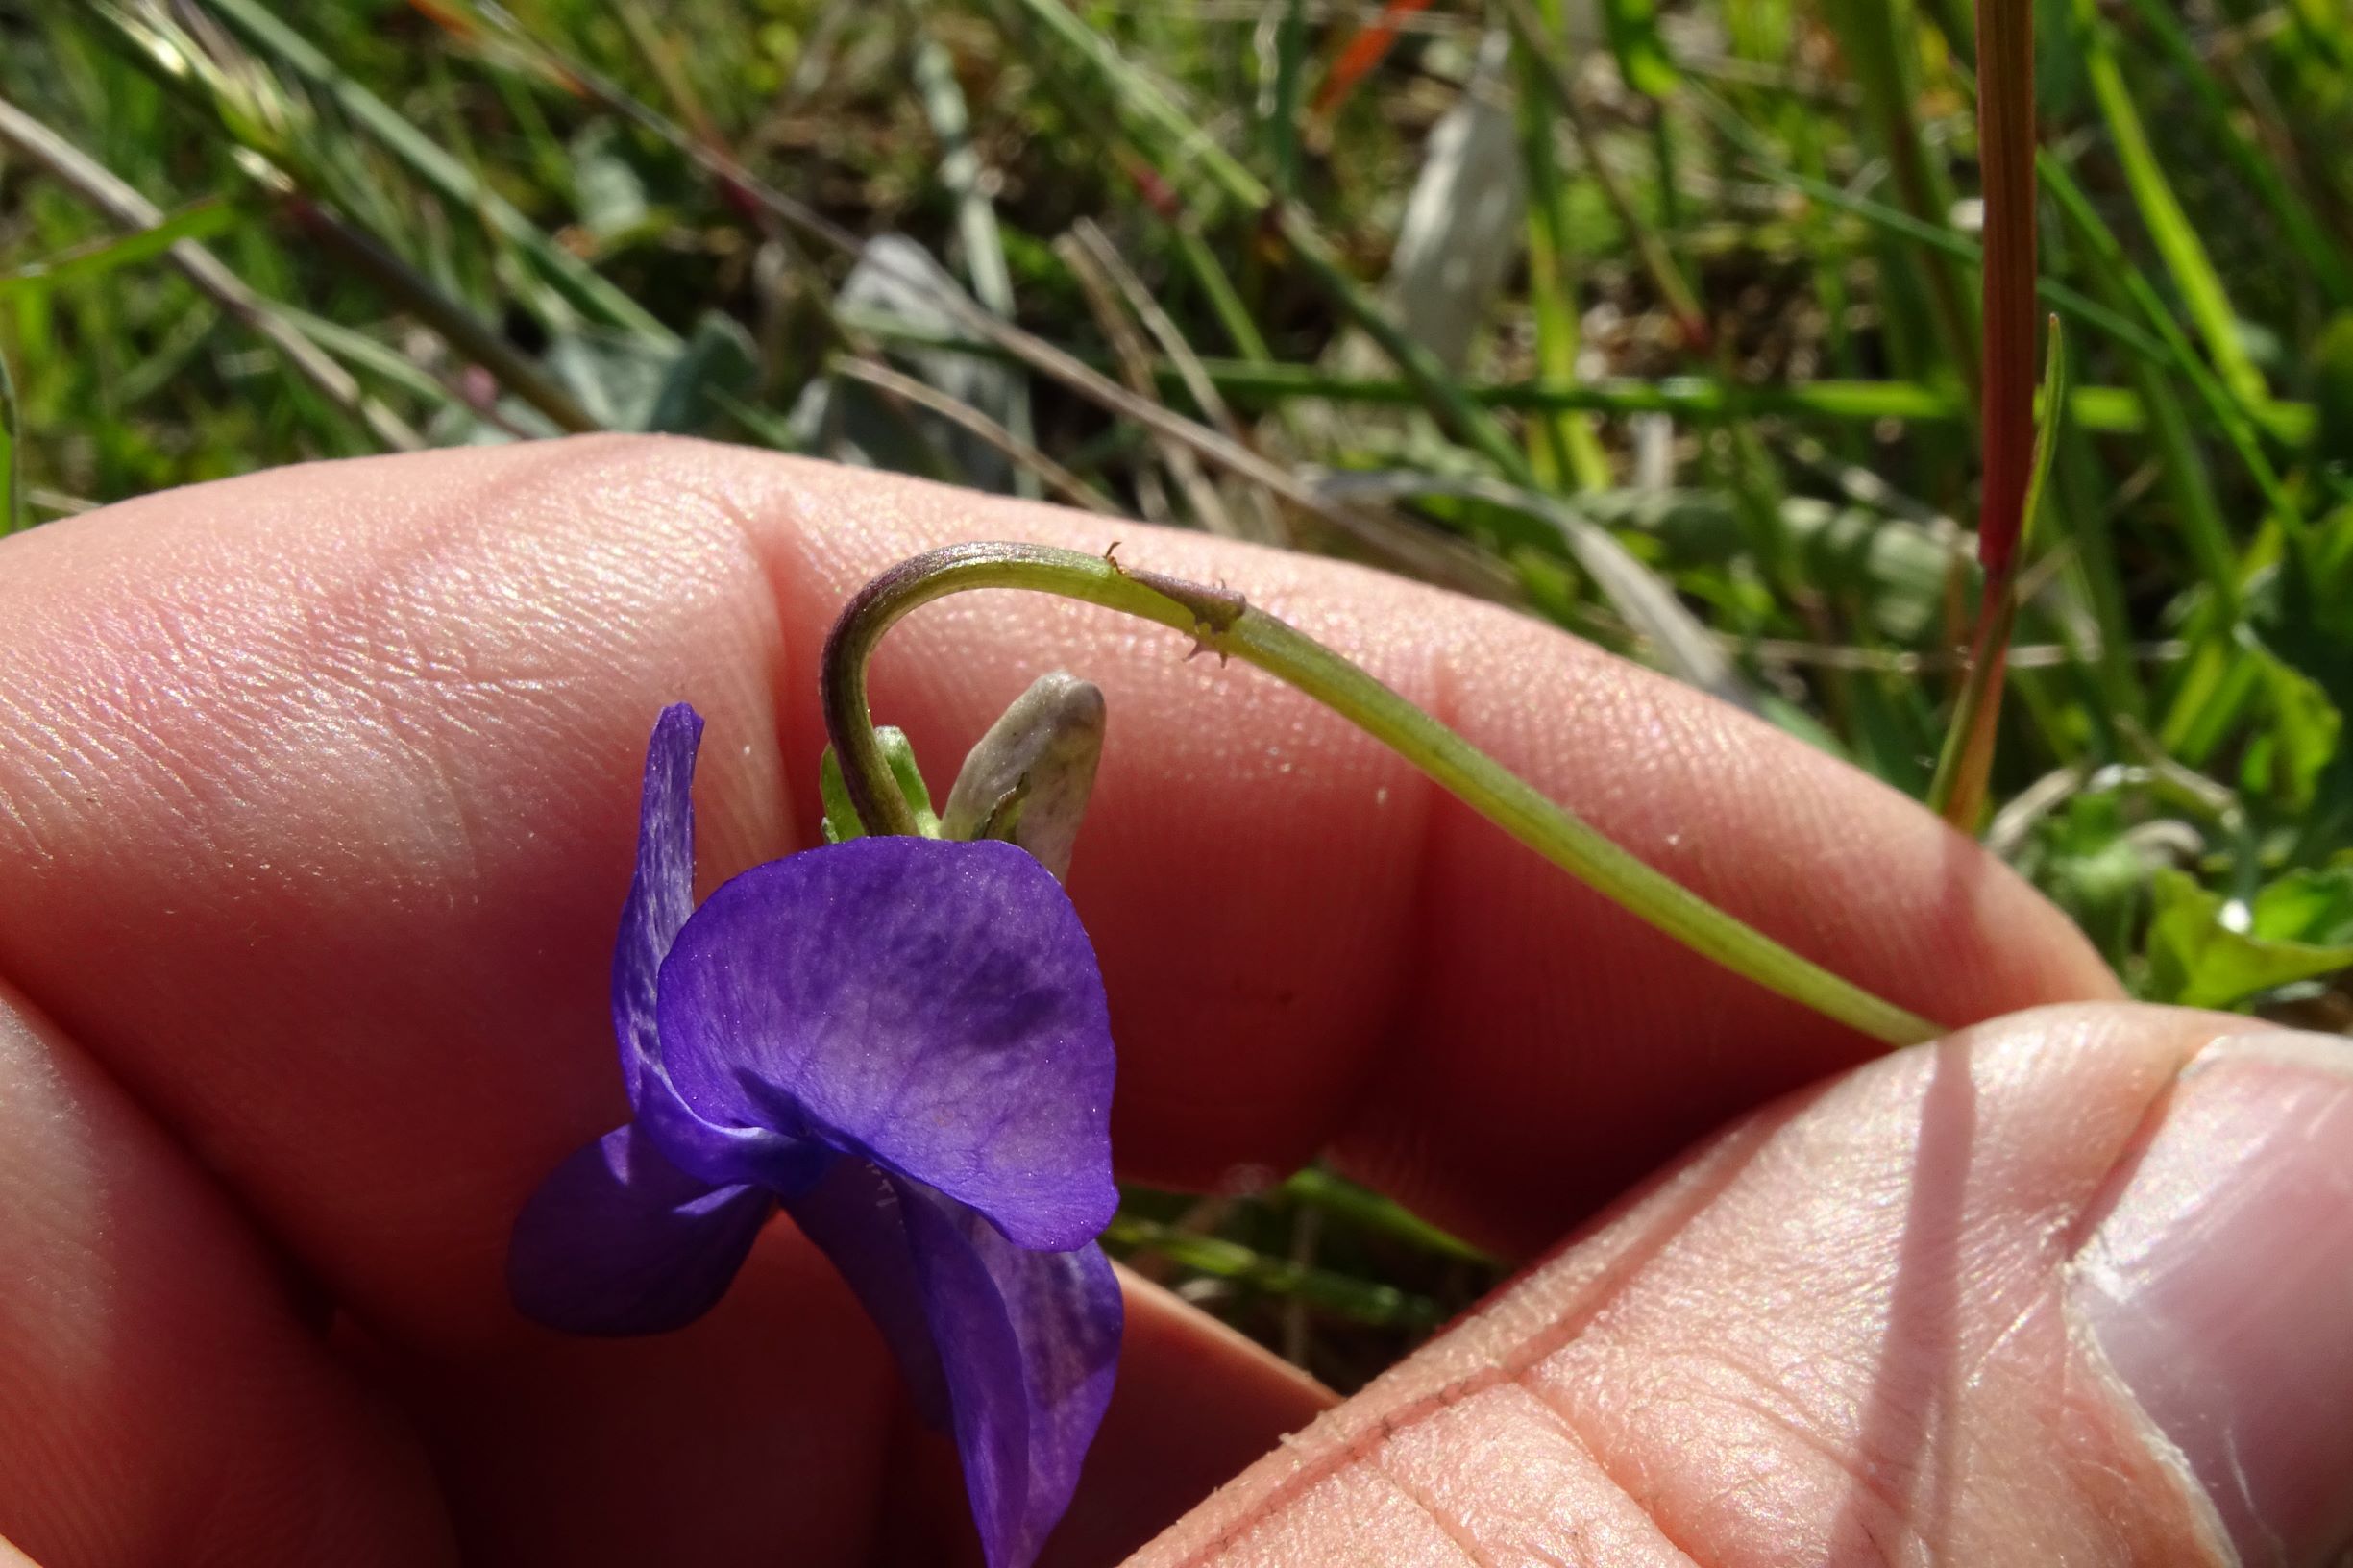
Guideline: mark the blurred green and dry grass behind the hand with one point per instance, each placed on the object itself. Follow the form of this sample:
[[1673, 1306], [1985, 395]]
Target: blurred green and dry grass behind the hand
[[1655, 321]]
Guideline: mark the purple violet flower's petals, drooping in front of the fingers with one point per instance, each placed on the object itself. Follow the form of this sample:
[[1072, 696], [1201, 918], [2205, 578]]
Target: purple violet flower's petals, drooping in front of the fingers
[[905, 1044]]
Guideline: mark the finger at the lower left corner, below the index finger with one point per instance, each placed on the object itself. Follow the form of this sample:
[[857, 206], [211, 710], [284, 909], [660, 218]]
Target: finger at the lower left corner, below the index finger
[[159, 1397]]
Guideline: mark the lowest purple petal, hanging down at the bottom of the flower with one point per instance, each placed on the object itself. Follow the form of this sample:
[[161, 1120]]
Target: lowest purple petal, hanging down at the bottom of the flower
[[1029, 1346]]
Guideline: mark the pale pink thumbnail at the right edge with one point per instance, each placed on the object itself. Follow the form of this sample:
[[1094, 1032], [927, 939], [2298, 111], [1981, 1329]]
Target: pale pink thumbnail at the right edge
[[2220, 1287]]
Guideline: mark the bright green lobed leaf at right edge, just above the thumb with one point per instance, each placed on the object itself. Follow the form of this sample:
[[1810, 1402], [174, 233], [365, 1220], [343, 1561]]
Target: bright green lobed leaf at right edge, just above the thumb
[[2298, 929]]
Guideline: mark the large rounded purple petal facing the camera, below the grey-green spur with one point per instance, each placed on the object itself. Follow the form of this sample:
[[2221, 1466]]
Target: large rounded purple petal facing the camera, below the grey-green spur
[[933, 1006]]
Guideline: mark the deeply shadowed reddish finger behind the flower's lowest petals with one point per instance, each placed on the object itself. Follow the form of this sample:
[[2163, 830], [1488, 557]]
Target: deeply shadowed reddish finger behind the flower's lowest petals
[[778, 1423]]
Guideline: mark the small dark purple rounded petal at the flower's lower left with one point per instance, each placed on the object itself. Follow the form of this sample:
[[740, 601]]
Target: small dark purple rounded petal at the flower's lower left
[[622, 1242]]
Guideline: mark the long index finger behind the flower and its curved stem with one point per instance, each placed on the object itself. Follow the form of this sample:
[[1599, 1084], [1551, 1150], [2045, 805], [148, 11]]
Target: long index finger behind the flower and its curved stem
[[316, 811]]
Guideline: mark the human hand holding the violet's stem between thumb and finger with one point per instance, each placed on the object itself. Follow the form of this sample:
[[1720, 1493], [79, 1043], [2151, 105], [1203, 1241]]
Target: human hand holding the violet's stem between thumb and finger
[[316, 811]]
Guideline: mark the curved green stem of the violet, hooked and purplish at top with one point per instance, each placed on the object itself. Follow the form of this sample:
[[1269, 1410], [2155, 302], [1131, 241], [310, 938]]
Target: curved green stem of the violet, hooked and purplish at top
[[1225, 625]]
